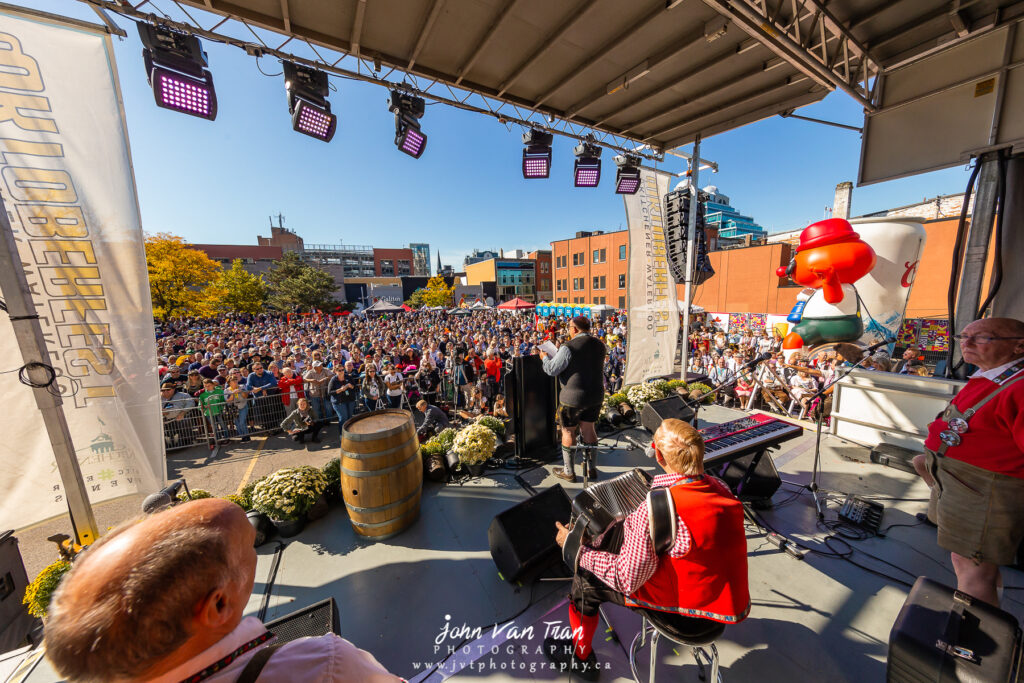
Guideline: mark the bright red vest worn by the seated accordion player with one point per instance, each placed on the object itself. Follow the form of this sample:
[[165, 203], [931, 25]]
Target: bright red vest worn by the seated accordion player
[[710, 582]]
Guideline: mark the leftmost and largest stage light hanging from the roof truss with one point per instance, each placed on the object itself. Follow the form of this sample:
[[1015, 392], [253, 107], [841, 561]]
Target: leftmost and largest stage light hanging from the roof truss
[[177, 69]]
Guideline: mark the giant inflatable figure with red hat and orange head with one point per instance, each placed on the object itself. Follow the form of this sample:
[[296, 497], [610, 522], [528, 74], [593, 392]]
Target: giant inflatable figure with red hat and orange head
[[830, 260]]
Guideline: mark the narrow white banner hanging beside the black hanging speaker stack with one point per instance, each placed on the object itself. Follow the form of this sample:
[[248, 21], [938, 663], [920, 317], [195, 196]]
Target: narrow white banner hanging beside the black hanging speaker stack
[[654, 314]]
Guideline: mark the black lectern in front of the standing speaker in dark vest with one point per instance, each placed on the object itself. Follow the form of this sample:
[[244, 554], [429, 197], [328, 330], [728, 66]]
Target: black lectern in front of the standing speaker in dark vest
[[533, 401]]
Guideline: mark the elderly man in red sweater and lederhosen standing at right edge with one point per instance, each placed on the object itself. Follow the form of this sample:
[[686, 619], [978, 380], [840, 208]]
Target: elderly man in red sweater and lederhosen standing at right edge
[[975, 459]]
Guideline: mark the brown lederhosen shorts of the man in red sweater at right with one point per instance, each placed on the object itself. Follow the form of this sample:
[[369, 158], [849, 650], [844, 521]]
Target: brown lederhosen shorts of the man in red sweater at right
[[980, 515]]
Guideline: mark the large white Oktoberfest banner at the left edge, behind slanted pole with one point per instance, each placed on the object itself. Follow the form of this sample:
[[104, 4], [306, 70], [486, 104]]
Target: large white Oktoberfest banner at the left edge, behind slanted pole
[[68, 186]]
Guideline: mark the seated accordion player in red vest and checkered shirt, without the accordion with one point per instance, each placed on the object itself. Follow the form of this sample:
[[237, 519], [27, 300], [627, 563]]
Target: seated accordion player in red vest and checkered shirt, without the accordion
[[703, 576]]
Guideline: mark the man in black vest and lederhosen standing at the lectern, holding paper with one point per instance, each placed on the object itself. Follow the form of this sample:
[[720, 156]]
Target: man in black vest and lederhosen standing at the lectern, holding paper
[[579, 365]]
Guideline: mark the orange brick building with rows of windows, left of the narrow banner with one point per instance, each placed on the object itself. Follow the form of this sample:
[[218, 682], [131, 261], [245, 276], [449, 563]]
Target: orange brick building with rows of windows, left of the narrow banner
[[591, 269]]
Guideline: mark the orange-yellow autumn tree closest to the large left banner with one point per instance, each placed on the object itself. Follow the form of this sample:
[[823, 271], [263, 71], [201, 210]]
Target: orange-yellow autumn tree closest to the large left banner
[[180, 278]]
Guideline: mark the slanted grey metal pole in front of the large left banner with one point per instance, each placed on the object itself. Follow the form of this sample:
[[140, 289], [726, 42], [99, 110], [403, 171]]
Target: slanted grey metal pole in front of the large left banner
[[29, 333]]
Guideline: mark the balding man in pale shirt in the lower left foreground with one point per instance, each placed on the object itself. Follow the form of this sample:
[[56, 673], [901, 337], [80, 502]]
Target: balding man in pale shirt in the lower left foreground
[[162, 601]]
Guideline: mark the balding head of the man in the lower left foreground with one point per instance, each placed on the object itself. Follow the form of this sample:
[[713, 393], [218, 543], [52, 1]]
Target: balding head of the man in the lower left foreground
[[134, 599]]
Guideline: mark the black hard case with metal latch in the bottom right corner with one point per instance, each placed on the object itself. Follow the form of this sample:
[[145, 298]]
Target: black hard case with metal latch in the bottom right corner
[[993, 635]]
